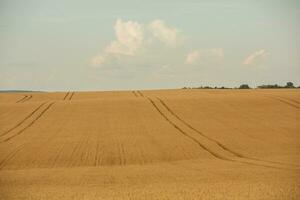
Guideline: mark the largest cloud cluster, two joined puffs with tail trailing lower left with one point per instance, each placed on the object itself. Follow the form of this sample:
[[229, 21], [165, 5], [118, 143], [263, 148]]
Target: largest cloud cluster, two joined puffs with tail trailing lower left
[[132, 37]]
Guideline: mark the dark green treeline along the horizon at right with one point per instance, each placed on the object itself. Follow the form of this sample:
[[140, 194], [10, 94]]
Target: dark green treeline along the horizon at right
[[246, 86]]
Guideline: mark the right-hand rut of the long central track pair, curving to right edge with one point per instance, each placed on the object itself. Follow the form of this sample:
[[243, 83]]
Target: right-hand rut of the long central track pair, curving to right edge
[[239, 155]]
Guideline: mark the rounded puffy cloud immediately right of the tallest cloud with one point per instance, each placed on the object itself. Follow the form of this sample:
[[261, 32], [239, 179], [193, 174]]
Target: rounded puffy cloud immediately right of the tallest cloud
[[167, 35]]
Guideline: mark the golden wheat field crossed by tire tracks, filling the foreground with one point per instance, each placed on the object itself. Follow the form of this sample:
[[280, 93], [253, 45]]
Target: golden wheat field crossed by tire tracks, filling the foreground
[[156, 144]]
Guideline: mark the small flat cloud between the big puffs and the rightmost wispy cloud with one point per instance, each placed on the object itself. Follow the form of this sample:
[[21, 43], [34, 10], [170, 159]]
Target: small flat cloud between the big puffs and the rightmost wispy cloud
[[202, 56]]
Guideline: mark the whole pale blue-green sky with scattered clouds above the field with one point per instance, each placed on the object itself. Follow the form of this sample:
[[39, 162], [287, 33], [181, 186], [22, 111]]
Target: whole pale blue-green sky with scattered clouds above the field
[[140, 44]]
